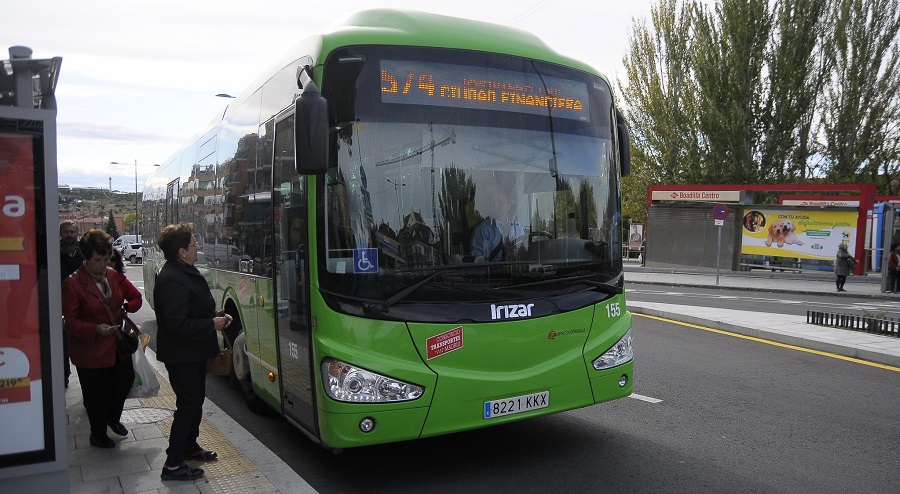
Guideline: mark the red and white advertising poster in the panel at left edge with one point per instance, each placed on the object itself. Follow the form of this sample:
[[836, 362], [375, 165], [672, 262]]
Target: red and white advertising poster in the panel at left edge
[[21, 395]]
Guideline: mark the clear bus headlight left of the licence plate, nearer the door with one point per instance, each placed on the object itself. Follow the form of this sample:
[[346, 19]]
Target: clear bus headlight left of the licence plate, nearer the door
[[346, 382]]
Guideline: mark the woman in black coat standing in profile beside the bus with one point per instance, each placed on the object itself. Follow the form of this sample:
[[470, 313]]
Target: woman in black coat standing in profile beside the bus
[[186, 339]]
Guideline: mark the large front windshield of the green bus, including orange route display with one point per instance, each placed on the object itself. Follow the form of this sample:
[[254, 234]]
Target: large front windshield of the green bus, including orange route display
[[475, 178]]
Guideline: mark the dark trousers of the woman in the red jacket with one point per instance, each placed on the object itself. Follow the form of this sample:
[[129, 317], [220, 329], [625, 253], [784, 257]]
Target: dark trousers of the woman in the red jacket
[[104, 392]]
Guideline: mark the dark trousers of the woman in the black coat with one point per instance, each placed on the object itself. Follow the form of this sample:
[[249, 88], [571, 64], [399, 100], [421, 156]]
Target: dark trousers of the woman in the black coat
[[189, 384]]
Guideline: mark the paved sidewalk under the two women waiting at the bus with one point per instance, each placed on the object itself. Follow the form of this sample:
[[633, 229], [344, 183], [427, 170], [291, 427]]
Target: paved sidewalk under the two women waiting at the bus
[[134, 465]]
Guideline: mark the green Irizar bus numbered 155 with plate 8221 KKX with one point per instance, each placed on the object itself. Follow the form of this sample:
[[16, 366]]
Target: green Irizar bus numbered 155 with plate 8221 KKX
[[415, 222]]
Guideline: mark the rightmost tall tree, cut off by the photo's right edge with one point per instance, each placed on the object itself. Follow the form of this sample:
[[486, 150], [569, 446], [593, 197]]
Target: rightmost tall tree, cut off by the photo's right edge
[[860, 106]]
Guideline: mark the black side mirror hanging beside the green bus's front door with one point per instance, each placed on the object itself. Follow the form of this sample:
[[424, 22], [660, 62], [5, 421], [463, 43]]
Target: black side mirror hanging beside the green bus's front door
[[311, 131]]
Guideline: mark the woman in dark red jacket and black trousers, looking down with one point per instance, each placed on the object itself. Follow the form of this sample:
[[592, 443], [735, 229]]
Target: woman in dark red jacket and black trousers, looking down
[[95, 299]]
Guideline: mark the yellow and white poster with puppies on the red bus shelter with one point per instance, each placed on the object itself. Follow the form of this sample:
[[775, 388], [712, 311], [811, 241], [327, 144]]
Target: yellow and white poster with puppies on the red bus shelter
[[799, 233]]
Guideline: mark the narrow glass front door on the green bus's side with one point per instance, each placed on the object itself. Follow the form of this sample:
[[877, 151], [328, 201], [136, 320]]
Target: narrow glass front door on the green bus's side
[[291, 273]]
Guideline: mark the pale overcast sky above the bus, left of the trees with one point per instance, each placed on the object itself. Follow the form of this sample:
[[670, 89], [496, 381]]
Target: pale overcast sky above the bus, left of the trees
[[139, 77]]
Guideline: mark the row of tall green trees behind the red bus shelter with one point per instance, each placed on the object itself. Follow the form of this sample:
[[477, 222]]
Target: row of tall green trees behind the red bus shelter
[[753, 91]]
